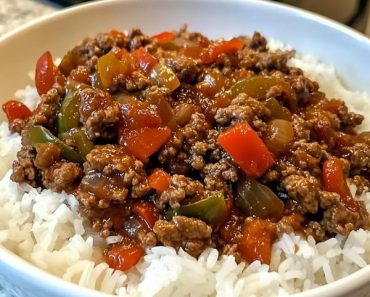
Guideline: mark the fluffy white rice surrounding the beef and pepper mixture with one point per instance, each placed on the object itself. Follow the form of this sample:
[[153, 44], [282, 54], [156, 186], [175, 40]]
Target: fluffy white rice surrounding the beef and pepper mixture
[[44, 228]]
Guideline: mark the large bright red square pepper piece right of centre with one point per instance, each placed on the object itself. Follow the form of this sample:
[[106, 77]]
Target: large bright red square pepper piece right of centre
[[247, 149]]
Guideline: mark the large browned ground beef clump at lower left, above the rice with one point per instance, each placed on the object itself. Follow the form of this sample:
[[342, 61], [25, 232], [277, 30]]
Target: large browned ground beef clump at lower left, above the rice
[[111, 175]]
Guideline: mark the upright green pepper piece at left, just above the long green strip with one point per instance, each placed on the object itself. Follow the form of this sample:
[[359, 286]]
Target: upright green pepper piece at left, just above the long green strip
[[69, 115]]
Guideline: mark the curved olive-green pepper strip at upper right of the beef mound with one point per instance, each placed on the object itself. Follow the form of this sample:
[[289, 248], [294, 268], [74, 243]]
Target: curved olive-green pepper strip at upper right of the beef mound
[[258, 86]]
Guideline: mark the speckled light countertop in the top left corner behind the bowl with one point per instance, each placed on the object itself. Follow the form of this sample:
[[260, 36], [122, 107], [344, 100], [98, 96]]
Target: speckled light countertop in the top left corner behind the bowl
[[14, 13]]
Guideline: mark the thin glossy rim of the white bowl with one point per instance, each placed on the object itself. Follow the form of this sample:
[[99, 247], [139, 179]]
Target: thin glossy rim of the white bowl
[[354, 280]]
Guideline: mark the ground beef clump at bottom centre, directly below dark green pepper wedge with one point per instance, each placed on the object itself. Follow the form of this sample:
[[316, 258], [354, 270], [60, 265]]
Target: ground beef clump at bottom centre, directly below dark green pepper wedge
[[192, 235]]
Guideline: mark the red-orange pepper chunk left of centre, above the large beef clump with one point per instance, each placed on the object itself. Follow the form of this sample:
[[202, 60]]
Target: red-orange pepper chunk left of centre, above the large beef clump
[[147, 141]]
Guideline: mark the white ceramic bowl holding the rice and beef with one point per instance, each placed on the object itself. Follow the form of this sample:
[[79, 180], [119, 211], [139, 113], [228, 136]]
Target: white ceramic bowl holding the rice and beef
[[333, 43]]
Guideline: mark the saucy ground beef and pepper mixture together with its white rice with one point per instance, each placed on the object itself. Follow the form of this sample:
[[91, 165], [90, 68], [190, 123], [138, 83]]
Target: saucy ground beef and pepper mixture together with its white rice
[[178, 165]]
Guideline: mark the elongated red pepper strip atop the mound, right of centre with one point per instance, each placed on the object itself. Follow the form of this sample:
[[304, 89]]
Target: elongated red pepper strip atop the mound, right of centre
[[224, 47]]
